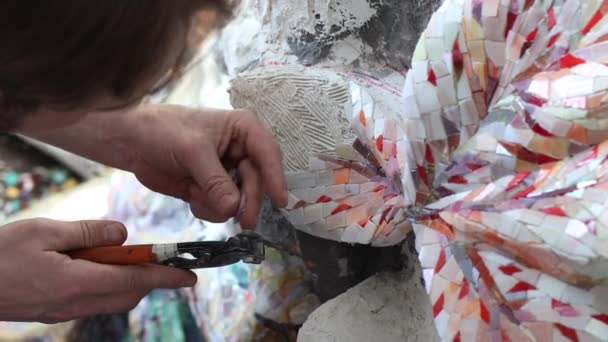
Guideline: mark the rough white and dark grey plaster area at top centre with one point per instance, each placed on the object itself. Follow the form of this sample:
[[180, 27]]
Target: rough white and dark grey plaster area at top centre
[[345, 34]]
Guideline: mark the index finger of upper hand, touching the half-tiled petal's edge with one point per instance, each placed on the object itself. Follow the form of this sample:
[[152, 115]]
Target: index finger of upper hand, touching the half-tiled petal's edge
[[263, 151]]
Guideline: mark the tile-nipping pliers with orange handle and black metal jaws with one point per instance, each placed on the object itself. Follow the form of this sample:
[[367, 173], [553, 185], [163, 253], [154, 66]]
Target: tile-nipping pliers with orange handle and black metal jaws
[[247, 247]]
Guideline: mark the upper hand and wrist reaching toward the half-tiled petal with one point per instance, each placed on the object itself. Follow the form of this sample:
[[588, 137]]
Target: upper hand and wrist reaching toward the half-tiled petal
[[186, 153]]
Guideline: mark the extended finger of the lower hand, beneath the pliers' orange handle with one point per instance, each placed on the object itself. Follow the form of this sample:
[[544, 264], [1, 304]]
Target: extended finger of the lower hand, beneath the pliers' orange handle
[[98, 279]]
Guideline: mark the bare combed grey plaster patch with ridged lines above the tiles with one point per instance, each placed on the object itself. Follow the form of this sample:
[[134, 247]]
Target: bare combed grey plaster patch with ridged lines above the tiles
[[302, 107]]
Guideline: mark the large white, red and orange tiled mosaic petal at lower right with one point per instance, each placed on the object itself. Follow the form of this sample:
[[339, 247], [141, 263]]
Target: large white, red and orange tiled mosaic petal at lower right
[[524, 257]]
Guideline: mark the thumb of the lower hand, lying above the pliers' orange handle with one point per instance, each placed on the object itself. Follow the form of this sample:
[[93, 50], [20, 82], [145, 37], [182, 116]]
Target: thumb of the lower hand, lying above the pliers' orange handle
[[67, 236]]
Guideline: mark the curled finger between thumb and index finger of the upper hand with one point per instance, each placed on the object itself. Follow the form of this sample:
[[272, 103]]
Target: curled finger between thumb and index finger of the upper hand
[[252, 195]]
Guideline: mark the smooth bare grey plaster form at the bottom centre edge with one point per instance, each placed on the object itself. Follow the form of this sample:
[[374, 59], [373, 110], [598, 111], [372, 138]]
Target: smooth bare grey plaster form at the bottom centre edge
[[386, 307]]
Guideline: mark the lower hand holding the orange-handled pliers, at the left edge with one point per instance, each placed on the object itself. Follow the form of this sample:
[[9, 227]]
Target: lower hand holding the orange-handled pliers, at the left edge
[[38, 283]]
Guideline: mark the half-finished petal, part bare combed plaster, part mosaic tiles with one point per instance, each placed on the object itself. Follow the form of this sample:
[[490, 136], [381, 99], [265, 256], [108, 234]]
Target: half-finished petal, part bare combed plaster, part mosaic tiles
[[344, 179]]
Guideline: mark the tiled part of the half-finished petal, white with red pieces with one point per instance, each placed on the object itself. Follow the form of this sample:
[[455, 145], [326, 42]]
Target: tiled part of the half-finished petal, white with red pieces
[[355, 194]]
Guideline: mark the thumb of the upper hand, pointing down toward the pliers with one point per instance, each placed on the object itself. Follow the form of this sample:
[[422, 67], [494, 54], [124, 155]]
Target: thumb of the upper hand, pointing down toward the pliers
[[215, 190]]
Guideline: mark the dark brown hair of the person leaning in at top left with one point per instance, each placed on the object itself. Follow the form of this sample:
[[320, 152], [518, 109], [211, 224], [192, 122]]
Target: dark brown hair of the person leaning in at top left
[[62, 53]]
